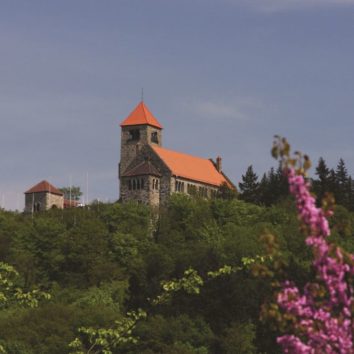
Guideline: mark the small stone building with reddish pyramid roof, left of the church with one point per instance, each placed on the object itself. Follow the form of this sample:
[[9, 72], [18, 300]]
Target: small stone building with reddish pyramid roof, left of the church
[[43, 196]]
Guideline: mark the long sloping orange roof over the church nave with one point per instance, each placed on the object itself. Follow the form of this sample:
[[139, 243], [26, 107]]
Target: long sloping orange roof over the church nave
[[191, 167]]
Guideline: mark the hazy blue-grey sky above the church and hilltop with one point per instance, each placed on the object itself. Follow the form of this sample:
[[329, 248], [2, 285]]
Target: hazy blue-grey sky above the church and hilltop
[[222, 77]]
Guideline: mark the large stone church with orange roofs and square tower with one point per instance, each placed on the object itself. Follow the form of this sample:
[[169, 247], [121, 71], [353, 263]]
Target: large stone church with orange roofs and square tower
[[150, 173]]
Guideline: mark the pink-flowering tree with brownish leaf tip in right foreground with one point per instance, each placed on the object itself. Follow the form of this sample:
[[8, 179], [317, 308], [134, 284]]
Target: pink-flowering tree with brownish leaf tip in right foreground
[[317, 318]]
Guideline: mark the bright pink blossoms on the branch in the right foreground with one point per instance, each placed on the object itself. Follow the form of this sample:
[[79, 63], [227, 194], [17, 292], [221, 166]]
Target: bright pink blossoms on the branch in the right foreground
[[321, 324]]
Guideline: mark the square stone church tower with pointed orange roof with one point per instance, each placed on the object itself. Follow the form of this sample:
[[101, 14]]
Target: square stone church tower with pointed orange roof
[[138, 129]]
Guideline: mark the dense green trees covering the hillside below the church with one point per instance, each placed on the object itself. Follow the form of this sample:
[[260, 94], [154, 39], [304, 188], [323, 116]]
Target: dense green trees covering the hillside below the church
[[100, 263]]
